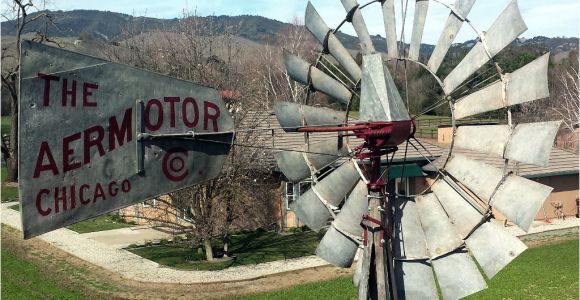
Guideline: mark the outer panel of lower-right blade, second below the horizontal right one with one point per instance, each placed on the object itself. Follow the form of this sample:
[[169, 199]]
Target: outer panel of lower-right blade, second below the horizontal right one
[[494, 247]]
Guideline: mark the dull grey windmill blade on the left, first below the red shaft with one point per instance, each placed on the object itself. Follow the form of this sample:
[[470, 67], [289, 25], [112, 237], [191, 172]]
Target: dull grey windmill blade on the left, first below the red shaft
[[297, 166]]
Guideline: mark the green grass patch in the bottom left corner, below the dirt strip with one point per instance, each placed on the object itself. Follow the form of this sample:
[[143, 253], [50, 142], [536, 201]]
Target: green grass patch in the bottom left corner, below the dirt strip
[[22, 279]]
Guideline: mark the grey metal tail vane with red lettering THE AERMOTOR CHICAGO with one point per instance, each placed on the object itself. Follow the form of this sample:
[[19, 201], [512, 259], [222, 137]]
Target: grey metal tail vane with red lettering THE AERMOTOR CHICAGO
[[96, 136]]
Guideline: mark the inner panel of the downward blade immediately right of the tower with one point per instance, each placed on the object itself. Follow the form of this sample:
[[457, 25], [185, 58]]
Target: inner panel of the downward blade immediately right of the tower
[[409, 242]]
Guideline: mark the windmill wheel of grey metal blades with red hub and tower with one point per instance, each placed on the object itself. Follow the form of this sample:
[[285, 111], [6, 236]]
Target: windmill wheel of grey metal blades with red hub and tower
[[412, 244]]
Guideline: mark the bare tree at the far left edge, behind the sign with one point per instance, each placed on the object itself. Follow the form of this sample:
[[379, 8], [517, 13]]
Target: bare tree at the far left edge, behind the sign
[[19, 13]]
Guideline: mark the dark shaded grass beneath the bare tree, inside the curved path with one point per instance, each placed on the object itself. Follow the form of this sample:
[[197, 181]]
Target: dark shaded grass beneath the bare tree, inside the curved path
[[248, 248]]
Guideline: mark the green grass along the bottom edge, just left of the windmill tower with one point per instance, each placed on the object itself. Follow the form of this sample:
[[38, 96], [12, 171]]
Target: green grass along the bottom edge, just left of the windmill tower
[[341, 288]]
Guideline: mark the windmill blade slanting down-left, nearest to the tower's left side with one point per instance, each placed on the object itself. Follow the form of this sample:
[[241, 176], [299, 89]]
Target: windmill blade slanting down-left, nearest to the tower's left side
[[337, 246]]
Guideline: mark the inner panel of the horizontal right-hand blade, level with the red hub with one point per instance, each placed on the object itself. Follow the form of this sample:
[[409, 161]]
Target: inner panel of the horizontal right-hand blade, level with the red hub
[[489, 139]]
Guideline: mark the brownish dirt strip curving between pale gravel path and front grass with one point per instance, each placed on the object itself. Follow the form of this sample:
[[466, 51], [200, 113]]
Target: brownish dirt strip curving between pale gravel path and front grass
[[97, 282]]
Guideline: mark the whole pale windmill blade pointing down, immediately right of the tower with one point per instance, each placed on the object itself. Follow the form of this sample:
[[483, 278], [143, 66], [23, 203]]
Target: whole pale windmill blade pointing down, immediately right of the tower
[[413, 273]]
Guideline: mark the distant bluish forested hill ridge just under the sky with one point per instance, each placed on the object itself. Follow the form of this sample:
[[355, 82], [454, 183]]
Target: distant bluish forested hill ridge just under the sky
[[109, 26]]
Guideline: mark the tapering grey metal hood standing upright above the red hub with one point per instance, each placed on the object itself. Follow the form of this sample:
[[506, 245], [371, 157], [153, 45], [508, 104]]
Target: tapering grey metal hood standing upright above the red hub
[[380, 100]]
